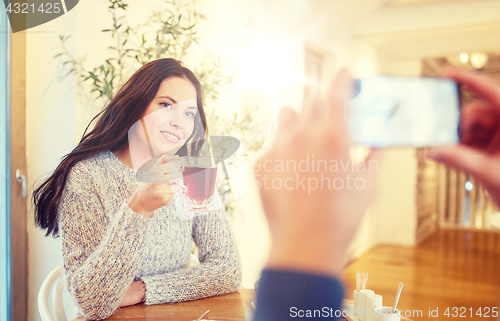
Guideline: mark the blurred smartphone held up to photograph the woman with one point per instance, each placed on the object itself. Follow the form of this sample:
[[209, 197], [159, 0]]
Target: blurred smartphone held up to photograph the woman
[[404, 112]]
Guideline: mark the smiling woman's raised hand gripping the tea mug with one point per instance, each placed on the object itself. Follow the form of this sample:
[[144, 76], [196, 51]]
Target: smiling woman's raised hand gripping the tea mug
[[159, 190]]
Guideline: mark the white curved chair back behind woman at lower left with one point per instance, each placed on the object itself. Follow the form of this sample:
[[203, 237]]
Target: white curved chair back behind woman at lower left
[[53, 281]]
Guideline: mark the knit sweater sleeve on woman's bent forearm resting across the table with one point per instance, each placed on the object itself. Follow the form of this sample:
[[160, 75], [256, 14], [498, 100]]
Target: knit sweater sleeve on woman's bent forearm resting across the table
[[219, 271]]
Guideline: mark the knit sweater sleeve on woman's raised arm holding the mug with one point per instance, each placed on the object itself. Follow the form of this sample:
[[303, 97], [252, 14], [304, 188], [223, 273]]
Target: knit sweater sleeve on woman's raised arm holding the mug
[[101, 251]]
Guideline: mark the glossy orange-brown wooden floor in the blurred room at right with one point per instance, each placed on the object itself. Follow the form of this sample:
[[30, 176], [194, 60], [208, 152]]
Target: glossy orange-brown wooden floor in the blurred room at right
[[450, 269]]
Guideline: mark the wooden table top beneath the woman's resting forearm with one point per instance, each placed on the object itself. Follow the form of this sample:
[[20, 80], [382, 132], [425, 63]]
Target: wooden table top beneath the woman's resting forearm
[[230, 307]]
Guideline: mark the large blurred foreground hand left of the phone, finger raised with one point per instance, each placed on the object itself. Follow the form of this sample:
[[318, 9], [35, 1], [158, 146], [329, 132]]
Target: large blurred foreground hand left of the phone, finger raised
[[313, 213]]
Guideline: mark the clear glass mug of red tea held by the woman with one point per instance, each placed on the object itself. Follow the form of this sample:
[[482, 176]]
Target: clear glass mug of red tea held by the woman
[[199, 174]]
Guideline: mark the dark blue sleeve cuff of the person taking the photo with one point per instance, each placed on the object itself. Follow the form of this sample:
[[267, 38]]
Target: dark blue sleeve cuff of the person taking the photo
[[292, 295]]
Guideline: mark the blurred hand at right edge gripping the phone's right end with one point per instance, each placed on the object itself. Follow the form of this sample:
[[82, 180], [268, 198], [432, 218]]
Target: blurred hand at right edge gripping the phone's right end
[[479, 151]]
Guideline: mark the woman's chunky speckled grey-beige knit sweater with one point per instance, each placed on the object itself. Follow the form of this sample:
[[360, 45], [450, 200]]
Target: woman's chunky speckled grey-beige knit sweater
[[107, 246]]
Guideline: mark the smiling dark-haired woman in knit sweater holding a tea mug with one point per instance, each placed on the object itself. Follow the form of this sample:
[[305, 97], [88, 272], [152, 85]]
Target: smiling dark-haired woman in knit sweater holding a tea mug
[[123, 240]]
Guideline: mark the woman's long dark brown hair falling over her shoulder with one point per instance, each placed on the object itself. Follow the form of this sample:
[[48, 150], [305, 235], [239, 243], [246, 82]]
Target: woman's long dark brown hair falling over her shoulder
[[111, 132]]
